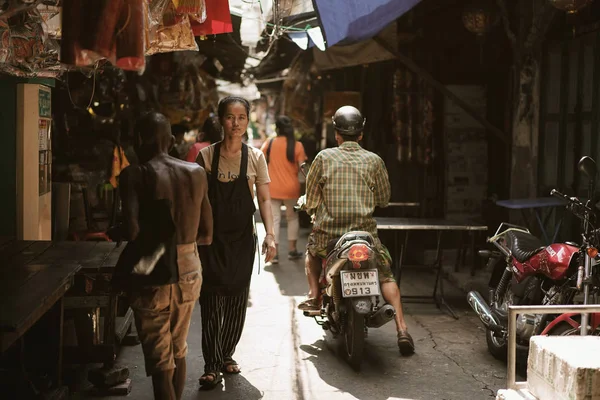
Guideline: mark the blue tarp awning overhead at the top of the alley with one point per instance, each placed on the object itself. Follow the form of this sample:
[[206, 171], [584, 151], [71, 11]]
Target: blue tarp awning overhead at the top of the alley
[[351, 21]]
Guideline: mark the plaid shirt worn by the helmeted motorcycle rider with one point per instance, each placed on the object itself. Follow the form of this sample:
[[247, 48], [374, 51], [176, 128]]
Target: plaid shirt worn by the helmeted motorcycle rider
[[344, 185]]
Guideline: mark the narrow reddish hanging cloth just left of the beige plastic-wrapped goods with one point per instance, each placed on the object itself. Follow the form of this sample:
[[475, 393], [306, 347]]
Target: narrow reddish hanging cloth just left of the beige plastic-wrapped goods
[[130, 37]]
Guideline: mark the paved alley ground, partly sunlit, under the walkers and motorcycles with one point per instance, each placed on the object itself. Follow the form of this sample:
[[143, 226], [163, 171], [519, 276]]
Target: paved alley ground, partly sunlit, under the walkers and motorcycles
[[284, 356]]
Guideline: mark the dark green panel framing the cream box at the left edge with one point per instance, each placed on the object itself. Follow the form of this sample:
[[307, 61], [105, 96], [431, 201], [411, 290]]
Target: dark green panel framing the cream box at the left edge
[[8, 149]]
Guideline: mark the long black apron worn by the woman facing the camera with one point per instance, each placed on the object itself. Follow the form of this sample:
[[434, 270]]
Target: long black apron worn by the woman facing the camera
[[227, 263]]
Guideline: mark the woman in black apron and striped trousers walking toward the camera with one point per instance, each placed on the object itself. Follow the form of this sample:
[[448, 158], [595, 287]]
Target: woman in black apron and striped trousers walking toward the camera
[[234, 170]]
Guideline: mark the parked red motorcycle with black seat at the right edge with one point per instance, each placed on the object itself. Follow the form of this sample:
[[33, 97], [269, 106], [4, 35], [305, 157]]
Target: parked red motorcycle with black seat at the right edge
[[526, 272]]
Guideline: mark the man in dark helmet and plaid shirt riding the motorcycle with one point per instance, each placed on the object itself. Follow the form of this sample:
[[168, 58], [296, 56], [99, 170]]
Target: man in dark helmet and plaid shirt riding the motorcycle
[[343, 187]]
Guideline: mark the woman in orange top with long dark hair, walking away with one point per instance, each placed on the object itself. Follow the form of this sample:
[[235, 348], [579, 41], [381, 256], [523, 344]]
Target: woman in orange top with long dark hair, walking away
[[284, 156]]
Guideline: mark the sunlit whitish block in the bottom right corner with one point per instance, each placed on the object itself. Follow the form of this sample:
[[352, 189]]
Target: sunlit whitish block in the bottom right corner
[[564, 368]]
